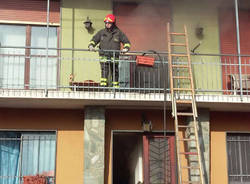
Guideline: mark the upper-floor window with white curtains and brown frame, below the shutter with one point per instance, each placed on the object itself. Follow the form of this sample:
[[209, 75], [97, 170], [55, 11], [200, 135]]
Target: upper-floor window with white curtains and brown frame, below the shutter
[[22, 68]]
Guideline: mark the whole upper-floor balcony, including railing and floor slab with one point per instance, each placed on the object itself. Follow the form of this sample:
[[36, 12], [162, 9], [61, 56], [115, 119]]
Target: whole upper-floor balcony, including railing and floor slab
[[60, 78]]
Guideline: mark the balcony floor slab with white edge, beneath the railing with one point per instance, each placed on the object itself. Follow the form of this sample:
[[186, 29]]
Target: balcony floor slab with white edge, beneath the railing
[[125, 100]]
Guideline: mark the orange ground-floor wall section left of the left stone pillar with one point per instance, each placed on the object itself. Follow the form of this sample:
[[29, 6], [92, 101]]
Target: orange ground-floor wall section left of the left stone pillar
[[69, 126]]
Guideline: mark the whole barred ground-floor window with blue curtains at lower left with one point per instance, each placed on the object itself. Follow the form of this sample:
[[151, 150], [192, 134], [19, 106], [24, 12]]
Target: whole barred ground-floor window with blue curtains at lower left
[[27, 154]]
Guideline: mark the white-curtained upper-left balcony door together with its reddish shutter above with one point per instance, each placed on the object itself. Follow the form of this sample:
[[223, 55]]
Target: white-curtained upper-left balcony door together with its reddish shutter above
[[22, 68]]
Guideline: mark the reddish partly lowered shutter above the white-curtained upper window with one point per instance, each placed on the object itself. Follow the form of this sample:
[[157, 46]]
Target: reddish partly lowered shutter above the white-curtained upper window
[[29, 10]]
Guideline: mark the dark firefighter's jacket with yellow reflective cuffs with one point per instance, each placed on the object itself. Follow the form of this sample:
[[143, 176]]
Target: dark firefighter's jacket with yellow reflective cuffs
[[110, 40]]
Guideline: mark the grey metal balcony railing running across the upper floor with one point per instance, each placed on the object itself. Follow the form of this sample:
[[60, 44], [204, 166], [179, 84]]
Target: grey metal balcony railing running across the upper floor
[[79, 70]]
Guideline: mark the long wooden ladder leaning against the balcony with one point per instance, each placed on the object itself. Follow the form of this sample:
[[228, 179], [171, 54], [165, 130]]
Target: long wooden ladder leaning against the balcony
[[183, 105]]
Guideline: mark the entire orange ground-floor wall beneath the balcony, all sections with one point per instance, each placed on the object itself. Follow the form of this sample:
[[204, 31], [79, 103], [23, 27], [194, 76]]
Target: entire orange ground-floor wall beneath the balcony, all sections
[[69, 125]]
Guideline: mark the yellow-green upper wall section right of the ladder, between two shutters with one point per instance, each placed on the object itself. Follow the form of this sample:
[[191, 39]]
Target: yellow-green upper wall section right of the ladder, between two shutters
[[193, 14]]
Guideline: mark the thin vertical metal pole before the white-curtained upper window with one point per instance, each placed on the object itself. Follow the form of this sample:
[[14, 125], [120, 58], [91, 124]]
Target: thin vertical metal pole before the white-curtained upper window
[[47, 49]]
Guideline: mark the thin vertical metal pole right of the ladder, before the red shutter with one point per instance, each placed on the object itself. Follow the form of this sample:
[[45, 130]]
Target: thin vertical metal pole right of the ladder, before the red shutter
[[238, 44]]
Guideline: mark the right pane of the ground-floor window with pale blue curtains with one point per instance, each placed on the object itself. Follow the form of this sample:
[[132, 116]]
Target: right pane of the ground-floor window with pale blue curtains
[[39, 155]]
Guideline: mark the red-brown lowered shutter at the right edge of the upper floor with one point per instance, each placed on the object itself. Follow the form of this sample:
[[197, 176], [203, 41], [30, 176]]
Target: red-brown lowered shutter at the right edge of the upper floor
[[228, 44]]
